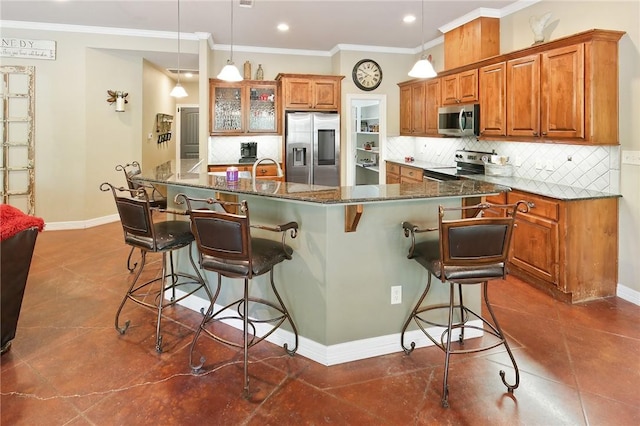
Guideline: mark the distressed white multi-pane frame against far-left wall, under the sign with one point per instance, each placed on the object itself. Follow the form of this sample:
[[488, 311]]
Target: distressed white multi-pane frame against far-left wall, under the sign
[[18, 152]]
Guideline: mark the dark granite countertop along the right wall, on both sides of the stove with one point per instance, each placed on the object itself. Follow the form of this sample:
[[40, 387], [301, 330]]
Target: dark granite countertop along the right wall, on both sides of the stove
[[551, 190]]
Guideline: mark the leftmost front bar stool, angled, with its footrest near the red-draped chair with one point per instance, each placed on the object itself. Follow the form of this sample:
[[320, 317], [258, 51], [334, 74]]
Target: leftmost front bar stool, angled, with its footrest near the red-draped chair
[[164, 237]]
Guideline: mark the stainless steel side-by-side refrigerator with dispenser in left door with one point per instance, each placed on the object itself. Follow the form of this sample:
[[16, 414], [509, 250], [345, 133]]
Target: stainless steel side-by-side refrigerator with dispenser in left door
[[312, 143]]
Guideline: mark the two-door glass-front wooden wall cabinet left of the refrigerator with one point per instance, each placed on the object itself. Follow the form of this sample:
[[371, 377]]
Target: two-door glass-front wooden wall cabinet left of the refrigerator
[[244, 107]]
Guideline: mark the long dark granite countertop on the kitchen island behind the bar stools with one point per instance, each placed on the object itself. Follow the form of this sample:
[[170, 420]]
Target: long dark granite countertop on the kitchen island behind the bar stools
[[327, 195]]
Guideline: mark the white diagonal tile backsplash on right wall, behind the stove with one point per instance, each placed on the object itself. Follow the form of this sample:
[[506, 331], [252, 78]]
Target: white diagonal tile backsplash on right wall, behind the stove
[[588, 167]]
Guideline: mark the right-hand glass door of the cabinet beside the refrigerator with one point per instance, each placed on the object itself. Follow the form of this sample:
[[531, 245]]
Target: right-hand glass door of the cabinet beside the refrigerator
[[261, 116]]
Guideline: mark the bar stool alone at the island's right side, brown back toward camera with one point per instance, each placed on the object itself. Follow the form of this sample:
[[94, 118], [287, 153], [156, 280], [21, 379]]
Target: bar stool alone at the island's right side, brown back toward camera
[[468, 251]]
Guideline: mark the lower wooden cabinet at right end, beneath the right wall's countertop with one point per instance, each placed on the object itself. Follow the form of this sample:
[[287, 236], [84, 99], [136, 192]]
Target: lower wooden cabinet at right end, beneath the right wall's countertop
[[568, 248]]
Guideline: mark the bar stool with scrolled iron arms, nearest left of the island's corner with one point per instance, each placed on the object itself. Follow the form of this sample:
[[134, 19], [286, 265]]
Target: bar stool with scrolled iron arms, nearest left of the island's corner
[[227, 248]]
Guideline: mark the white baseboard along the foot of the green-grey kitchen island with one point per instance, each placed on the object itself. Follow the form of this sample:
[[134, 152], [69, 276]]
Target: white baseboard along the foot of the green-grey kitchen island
[[341, 352]]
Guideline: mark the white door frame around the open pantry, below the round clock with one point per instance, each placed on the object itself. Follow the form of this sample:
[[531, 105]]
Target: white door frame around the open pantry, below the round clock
[[350, 145]]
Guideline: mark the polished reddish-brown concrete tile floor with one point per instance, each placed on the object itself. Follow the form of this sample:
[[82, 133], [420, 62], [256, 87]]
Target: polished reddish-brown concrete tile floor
[[580, 365]]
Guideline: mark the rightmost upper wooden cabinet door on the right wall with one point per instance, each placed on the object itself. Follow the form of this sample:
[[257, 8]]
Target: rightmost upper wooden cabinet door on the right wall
[[562, 114]]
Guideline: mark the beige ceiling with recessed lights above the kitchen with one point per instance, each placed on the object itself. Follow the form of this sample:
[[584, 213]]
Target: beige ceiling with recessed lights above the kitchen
[[318, 25]]
